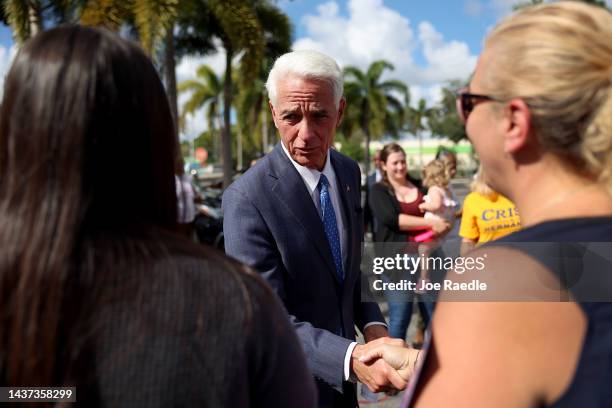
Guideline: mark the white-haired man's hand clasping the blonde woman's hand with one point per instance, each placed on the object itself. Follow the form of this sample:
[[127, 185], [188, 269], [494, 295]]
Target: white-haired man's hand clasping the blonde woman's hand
[[377, 374]]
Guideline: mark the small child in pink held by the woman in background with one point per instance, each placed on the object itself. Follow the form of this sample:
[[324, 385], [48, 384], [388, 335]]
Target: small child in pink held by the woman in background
[[438, 203]]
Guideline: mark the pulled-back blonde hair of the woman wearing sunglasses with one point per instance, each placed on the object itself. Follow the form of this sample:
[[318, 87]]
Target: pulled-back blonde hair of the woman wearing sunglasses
[[557, 57]]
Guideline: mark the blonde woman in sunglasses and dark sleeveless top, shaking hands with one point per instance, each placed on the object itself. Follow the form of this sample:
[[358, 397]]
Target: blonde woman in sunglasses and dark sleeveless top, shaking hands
[[539, 113]]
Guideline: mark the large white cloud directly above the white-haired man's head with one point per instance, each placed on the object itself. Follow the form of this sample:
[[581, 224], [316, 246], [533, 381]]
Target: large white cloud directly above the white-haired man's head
[[372, 31]]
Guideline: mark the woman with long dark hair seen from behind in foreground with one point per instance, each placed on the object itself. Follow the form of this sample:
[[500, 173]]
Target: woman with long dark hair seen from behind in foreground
[[96, 289]]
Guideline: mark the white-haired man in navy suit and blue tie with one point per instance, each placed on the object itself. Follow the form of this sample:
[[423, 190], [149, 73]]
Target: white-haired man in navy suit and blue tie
[[296, 218]]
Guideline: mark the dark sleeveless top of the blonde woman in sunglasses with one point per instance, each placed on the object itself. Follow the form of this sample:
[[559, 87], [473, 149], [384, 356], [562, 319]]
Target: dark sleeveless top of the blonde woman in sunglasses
[[591, 383]]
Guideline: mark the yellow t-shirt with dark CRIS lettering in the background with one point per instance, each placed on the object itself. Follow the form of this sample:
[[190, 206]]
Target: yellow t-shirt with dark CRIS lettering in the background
[[486, 218]]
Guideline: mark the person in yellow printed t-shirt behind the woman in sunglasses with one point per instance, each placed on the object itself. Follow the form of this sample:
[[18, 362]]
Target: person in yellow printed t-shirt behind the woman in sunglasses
[[487, 215]]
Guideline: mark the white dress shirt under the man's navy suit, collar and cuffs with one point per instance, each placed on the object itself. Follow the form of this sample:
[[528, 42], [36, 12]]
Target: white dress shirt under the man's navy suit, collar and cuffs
[[311, 180]]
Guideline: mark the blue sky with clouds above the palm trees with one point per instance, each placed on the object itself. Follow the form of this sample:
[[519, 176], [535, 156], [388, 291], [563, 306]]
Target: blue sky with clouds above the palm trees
[[430, 42]]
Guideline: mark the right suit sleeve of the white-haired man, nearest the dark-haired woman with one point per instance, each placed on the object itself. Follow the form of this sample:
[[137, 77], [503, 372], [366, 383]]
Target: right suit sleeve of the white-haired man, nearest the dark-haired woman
[[248, 240]]
